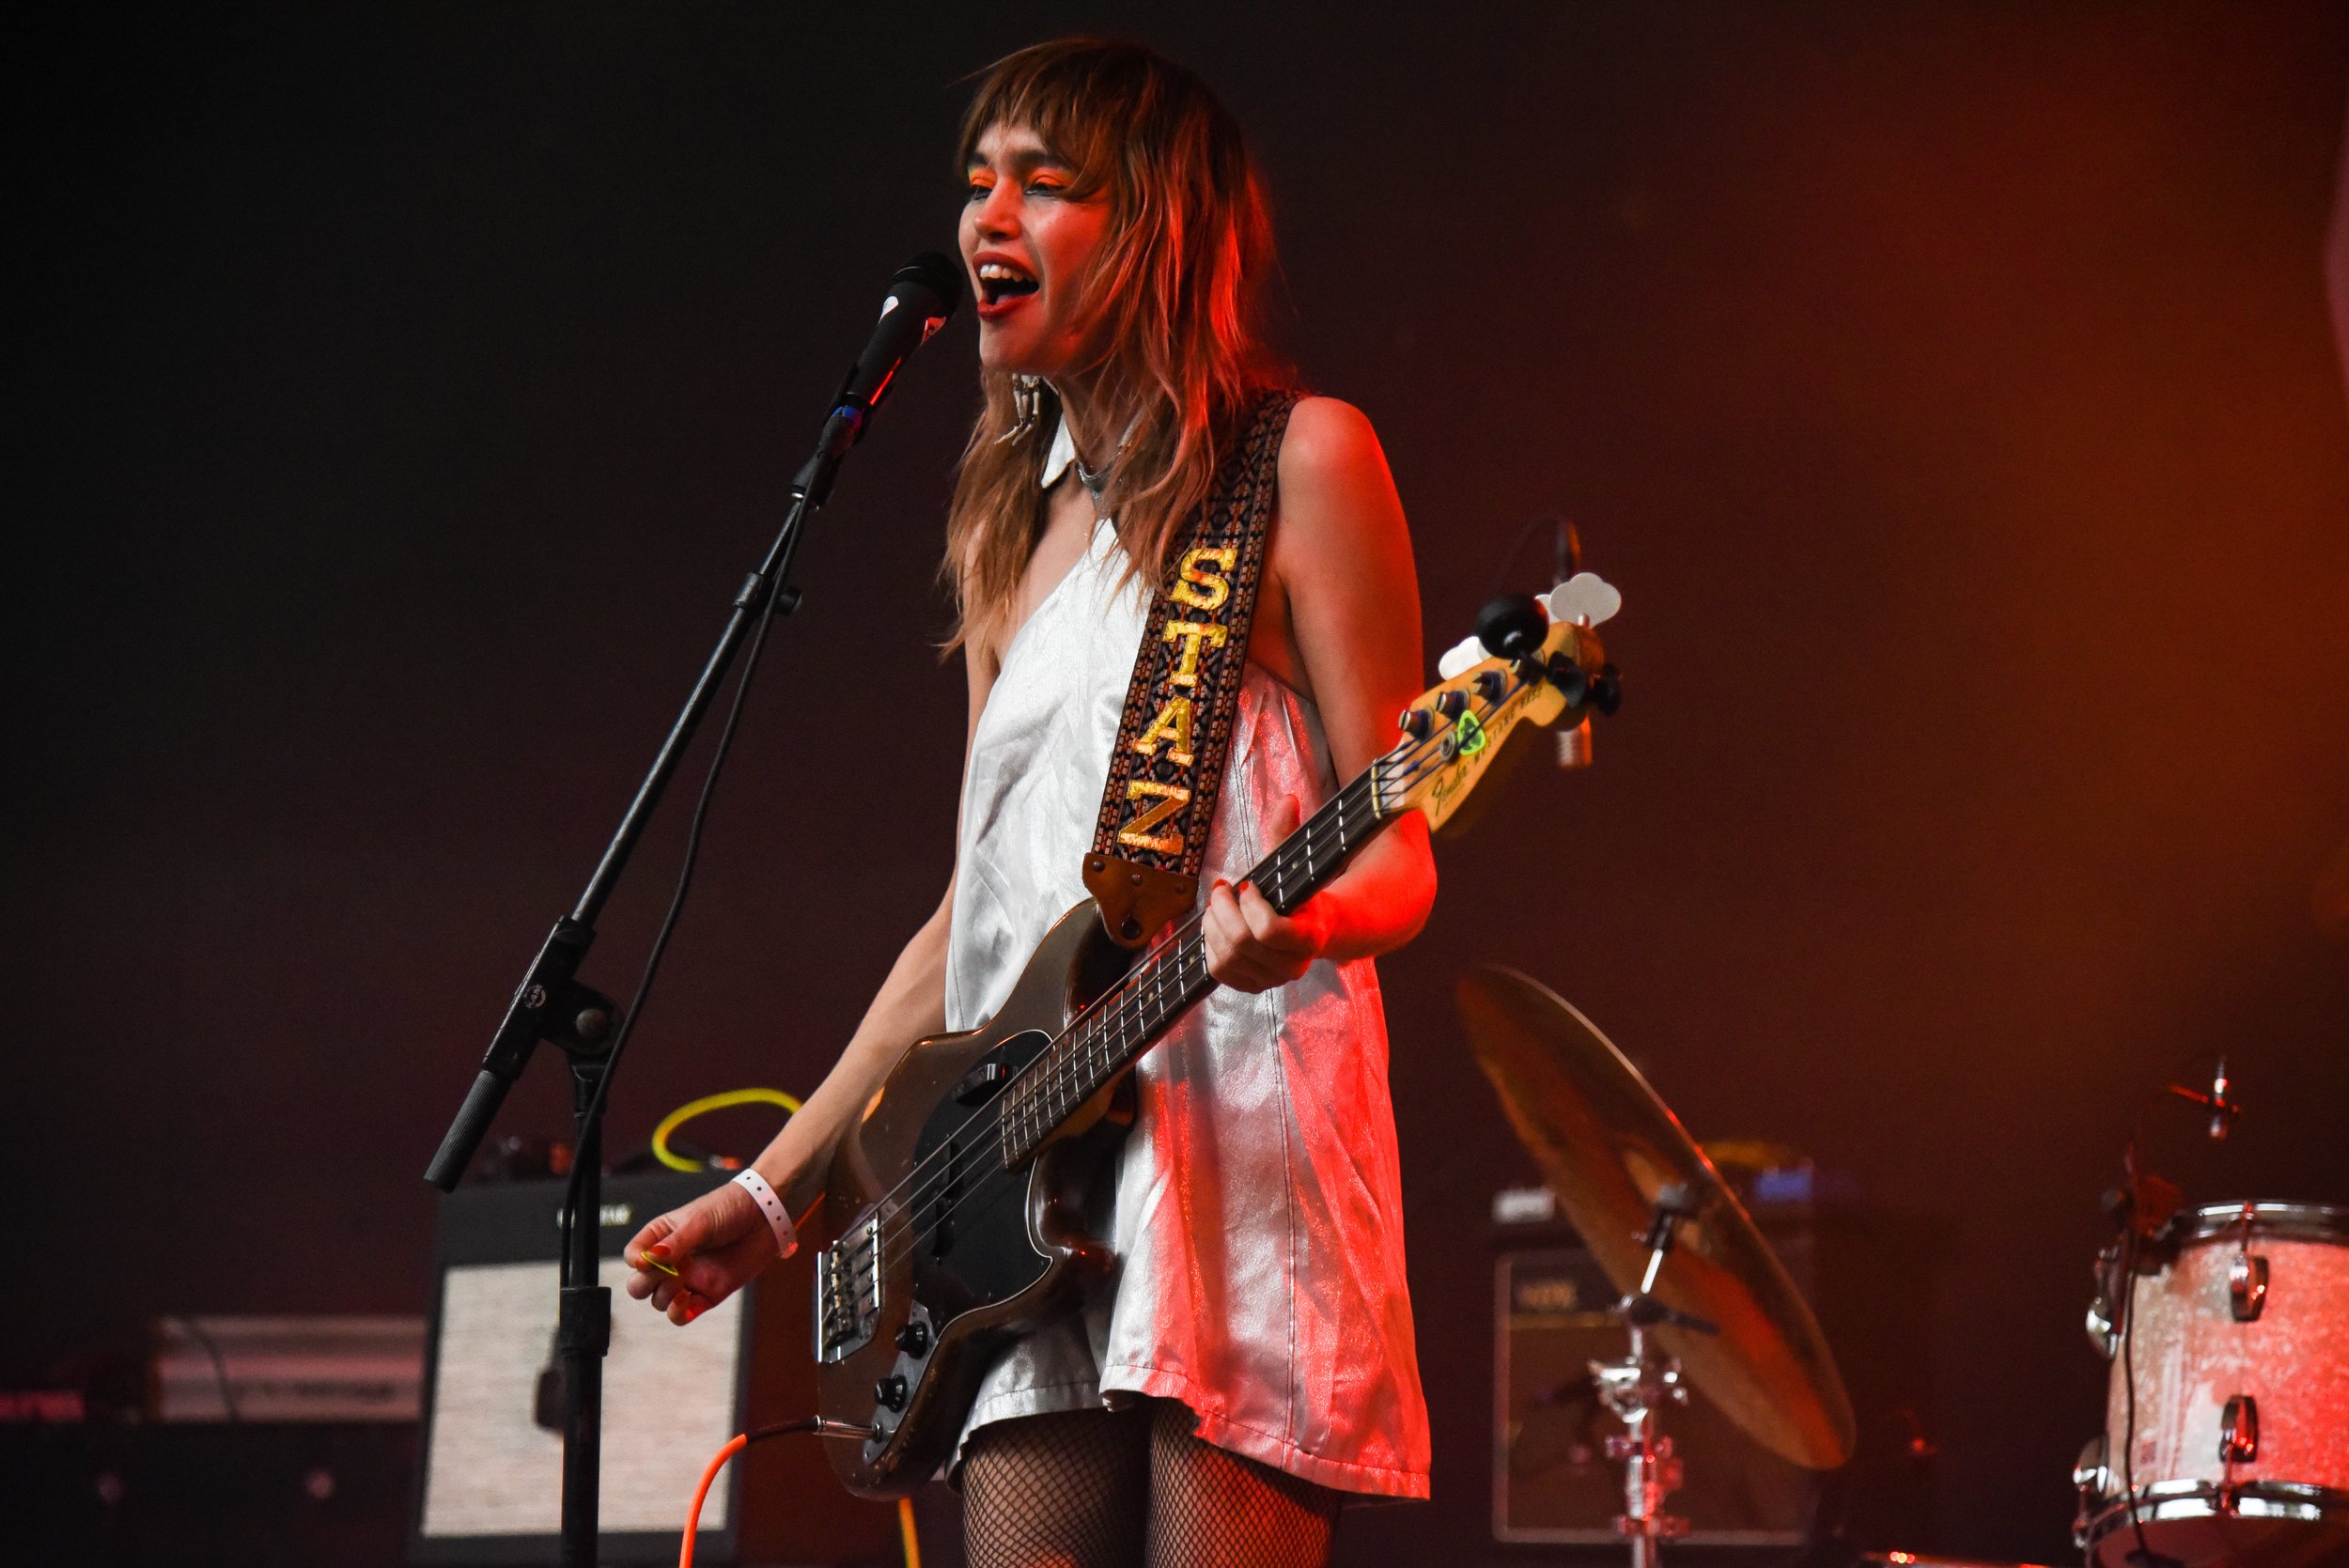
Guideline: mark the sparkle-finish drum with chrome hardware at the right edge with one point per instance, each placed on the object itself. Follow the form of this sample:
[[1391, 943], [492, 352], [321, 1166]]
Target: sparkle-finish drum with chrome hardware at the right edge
[[2242, 1395]]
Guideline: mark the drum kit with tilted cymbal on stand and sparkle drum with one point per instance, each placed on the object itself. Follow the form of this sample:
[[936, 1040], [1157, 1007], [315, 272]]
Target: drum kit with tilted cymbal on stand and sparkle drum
[[2228, 1325]]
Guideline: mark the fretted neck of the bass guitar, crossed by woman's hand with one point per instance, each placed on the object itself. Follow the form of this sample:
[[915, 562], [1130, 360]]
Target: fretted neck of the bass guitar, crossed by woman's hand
[[1138, 1011]]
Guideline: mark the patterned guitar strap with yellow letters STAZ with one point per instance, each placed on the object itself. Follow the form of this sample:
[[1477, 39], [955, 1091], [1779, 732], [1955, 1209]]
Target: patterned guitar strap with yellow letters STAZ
[[1176, 734]]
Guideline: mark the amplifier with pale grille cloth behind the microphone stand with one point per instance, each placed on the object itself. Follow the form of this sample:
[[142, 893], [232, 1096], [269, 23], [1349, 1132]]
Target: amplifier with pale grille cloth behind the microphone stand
[[490, 1478]]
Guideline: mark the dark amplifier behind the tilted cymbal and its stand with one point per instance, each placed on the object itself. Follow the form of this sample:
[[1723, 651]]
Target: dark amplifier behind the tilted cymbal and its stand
[[1552, 1478]]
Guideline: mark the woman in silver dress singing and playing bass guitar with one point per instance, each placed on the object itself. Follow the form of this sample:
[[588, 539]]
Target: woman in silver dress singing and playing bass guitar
[[1253, 1360]]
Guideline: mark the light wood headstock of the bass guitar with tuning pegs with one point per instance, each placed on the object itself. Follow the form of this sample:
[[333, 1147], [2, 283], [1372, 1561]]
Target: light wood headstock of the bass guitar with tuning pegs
[[1533, 663]]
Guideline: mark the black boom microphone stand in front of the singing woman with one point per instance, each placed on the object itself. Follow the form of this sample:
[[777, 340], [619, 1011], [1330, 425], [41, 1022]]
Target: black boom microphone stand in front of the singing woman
[[551, 1003]]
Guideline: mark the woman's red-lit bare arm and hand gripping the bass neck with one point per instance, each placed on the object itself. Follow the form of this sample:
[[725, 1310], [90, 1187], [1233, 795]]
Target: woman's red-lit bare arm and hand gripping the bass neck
[[1342, 562]]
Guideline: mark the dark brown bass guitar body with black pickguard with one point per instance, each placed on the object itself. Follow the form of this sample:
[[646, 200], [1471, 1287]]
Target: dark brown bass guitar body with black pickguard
[[971, 1255]]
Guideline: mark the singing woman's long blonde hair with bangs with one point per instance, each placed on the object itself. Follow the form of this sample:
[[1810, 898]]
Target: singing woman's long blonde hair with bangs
[[1173, 304]]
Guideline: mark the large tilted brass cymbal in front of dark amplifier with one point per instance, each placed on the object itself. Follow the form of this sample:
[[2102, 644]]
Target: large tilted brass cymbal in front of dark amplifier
[[1608, 1147]]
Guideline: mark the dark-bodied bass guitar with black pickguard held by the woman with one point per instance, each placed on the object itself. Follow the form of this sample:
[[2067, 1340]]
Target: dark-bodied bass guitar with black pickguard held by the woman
[[978, 1172]]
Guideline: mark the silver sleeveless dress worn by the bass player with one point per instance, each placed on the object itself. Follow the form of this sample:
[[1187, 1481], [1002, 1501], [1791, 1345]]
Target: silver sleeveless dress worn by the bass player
[[1260, 1210]]
